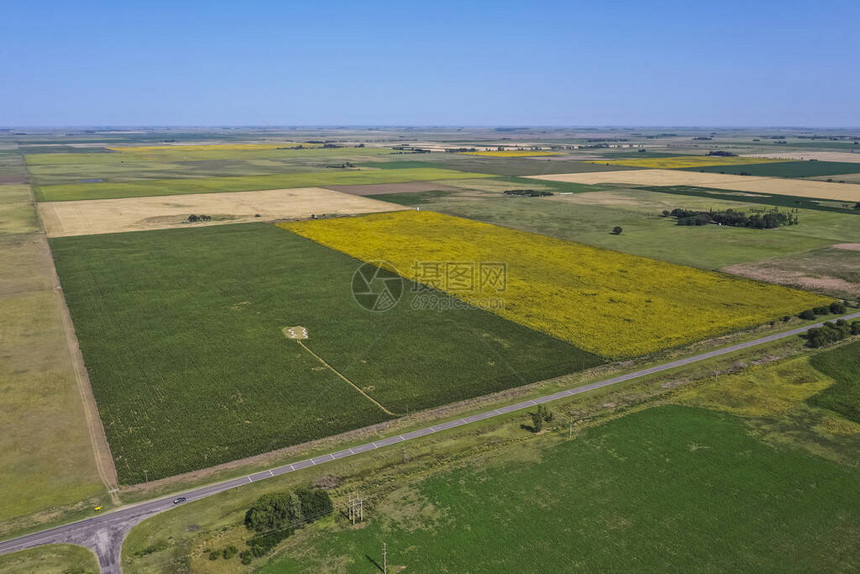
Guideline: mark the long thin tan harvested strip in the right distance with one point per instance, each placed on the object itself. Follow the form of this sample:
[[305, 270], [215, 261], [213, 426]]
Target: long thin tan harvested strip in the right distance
[[666, 177]]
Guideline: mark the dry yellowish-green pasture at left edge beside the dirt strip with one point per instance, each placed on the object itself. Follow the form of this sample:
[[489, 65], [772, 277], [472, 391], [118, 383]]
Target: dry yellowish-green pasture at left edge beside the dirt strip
[[46, 457]]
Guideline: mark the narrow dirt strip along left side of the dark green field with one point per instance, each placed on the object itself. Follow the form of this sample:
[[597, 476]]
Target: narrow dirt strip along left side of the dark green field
[[98, 438]]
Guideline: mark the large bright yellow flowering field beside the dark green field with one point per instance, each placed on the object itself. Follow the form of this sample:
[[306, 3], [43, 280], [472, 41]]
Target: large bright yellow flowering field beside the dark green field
[[609, 303]]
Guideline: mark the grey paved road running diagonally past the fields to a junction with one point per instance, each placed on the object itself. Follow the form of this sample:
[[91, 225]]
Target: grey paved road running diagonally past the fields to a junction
[[104, 533]]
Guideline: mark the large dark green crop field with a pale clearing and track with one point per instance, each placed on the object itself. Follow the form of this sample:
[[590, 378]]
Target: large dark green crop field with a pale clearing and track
[[182, 331]]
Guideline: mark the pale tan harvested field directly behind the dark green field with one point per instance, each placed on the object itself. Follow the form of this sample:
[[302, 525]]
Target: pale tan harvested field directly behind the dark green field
[[67, 218]]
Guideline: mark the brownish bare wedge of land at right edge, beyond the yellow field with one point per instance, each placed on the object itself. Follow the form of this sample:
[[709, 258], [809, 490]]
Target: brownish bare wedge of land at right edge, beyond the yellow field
[[833, 271]]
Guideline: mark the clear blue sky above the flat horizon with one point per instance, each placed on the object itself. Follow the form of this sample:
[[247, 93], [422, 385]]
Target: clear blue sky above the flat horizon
[[723, 63]]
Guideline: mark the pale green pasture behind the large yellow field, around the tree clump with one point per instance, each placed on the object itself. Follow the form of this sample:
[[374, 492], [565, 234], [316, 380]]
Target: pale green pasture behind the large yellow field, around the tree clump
[[590, 216]]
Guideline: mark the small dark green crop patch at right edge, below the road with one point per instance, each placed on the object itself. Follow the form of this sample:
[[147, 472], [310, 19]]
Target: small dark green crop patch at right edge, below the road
[[843, 365]]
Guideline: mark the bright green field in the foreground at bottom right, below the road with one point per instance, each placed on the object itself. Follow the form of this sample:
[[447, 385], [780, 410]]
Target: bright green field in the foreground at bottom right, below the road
[[670, 489]]
